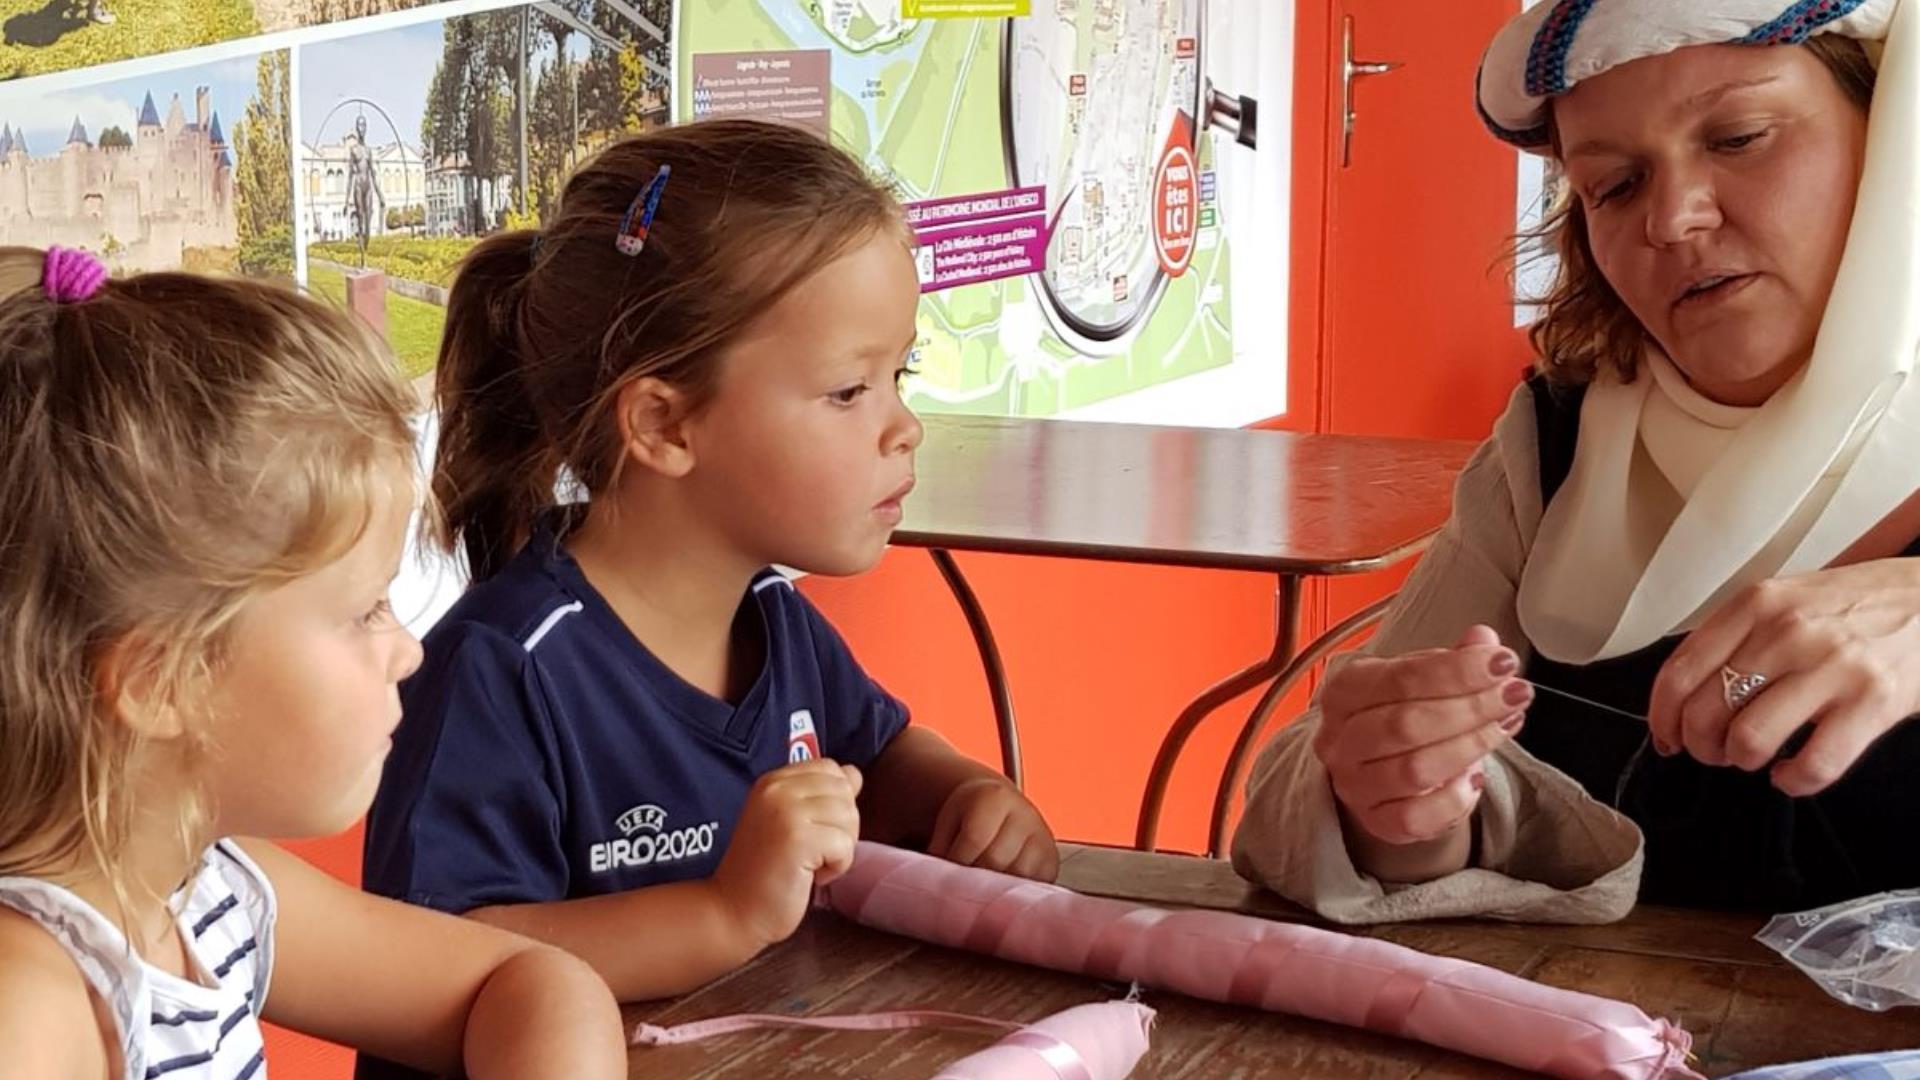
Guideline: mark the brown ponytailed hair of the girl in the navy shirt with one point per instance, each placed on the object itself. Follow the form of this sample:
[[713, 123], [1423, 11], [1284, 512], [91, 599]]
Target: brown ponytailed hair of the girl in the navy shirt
[[546, 328]]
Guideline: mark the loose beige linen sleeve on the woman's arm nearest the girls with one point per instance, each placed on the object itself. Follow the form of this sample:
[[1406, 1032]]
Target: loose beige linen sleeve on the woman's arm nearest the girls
[[1547, 850]]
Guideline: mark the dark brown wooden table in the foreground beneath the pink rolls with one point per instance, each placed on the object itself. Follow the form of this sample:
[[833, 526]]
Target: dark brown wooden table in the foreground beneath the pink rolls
[[1744, 1006]]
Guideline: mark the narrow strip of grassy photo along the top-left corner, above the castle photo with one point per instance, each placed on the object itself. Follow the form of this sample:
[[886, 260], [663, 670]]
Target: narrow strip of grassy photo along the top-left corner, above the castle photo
[[39, 37]]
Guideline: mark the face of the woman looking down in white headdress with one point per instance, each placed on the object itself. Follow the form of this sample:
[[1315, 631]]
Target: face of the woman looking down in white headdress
[[1717, 185]]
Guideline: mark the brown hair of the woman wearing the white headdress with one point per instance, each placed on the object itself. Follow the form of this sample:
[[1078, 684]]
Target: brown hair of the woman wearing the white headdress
[[1585, 326]]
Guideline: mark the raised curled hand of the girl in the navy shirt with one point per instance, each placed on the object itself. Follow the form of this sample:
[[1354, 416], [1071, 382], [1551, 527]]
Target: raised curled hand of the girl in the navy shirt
[[798, 831]]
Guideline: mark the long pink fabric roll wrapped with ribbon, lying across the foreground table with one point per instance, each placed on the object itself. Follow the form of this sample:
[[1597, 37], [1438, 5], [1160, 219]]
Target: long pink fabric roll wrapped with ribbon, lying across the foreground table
[[1270, 966]]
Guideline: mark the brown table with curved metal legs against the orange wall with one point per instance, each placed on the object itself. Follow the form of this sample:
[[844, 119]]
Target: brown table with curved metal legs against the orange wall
[[1249, 501]]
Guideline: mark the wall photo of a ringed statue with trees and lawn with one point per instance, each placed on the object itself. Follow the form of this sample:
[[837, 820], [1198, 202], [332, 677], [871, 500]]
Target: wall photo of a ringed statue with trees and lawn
[[418, 141]]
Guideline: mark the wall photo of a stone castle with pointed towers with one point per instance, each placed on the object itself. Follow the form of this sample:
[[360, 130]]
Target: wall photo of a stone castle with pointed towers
[[174, 170]]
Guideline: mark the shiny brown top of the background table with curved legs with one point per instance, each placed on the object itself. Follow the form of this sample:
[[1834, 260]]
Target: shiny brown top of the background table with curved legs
[[1226, 499]]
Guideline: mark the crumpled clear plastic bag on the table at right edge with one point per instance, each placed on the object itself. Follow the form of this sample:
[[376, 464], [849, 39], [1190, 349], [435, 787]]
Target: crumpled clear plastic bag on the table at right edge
[[1863, 952]]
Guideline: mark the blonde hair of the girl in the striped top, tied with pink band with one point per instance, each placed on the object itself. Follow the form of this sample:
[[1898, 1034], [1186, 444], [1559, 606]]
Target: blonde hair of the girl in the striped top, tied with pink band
[[170, 449]]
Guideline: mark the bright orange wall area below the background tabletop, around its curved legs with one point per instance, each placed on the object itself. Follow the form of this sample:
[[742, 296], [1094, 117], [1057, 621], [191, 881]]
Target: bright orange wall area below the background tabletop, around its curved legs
[[1099, 656]]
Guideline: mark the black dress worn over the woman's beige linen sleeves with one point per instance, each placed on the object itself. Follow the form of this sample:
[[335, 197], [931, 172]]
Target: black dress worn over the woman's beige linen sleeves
[[1717, 837]]
